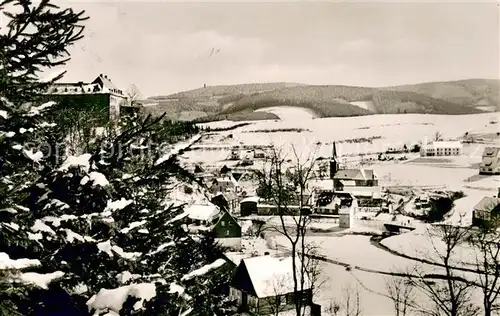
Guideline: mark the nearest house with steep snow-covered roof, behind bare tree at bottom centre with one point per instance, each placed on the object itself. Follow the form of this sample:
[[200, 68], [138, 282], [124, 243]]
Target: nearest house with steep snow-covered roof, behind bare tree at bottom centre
[[264, 285]]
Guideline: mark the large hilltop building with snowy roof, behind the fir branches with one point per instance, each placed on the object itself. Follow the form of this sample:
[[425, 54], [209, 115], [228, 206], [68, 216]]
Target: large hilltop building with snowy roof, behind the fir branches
[[100, 96]]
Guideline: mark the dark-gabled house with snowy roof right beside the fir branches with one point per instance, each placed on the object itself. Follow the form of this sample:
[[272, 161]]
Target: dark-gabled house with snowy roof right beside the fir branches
[[211, 219]]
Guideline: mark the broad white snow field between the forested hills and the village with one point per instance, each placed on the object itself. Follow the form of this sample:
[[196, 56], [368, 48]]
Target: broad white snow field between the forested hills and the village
[[394, 130]]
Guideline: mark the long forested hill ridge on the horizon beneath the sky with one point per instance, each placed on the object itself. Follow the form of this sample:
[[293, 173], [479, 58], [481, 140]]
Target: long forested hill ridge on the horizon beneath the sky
[[240, 101]]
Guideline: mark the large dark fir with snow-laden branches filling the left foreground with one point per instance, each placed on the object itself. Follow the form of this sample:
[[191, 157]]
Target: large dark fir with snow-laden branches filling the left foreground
[[100, 232]]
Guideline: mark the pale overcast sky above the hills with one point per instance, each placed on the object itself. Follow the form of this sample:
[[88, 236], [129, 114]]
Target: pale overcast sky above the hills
[[170, 47]]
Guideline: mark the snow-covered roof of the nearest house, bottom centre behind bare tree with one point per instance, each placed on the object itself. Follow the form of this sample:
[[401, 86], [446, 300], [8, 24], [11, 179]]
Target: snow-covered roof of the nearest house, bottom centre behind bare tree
[[272, 276]]
